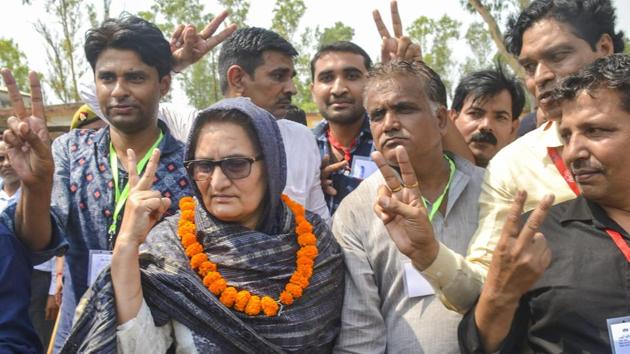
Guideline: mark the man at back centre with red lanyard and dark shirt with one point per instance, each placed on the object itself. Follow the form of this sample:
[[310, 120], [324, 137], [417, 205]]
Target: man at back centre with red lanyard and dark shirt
[[338, 71]]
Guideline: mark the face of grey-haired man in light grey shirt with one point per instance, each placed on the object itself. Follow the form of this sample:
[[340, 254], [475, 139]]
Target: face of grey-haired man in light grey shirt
[[400, 114]]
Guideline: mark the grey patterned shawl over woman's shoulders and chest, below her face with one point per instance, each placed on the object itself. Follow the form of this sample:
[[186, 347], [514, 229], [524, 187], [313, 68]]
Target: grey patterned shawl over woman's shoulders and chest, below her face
[[248, 259]]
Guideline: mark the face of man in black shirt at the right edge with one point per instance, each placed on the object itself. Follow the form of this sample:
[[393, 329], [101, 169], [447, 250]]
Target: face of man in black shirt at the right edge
[[596, 131]]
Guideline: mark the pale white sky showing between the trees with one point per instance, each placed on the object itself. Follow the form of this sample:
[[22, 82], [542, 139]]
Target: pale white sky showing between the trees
[[18, 21]]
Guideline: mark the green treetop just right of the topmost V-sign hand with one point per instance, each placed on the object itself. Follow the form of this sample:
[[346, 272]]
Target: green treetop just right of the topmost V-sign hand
[[435, 37]]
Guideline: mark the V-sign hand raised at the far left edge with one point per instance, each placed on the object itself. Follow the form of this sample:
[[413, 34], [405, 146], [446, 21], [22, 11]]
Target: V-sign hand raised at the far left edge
[[27, 136]]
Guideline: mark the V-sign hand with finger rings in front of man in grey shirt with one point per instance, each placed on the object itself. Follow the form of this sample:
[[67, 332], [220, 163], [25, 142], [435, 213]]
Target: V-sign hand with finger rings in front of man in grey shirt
[[399, 205]]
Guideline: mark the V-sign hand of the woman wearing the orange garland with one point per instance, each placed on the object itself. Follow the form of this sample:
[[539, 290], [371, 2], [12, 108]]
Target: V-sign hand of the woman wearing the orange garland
[[144, 206]]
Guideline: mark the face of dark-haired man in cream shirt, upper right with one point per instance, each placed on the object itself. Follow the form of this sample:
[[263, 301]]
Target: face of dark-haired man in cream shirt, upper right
[[550, 52]]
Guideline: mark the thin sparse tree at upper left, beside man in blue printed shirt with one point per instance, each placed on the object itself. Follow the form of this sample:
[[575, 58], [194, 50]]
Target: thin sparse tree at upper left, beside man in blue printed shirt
[[64, 47]]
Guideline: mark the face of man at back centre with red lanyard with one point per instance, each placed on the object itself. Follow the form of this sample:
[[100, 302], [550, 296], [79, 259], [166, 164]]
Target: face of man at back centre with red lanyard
[[338, 83]]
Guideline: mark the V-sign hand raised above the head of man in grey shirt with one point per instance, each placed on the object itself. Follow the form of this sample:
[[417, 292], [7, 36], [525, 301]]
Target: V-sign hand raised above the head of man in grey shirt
[[398, 46]]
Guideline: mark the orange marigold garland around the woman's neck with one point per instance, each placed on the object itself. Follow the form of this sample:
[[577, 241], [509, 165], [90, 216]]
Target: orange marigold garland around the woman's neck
[[243, 300]]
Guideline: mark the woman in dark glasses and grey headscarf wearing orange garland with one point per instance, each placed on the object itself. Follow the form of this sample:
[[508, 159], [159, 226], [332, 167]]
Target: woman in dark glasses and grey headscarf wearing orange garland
[[241, 268]]
